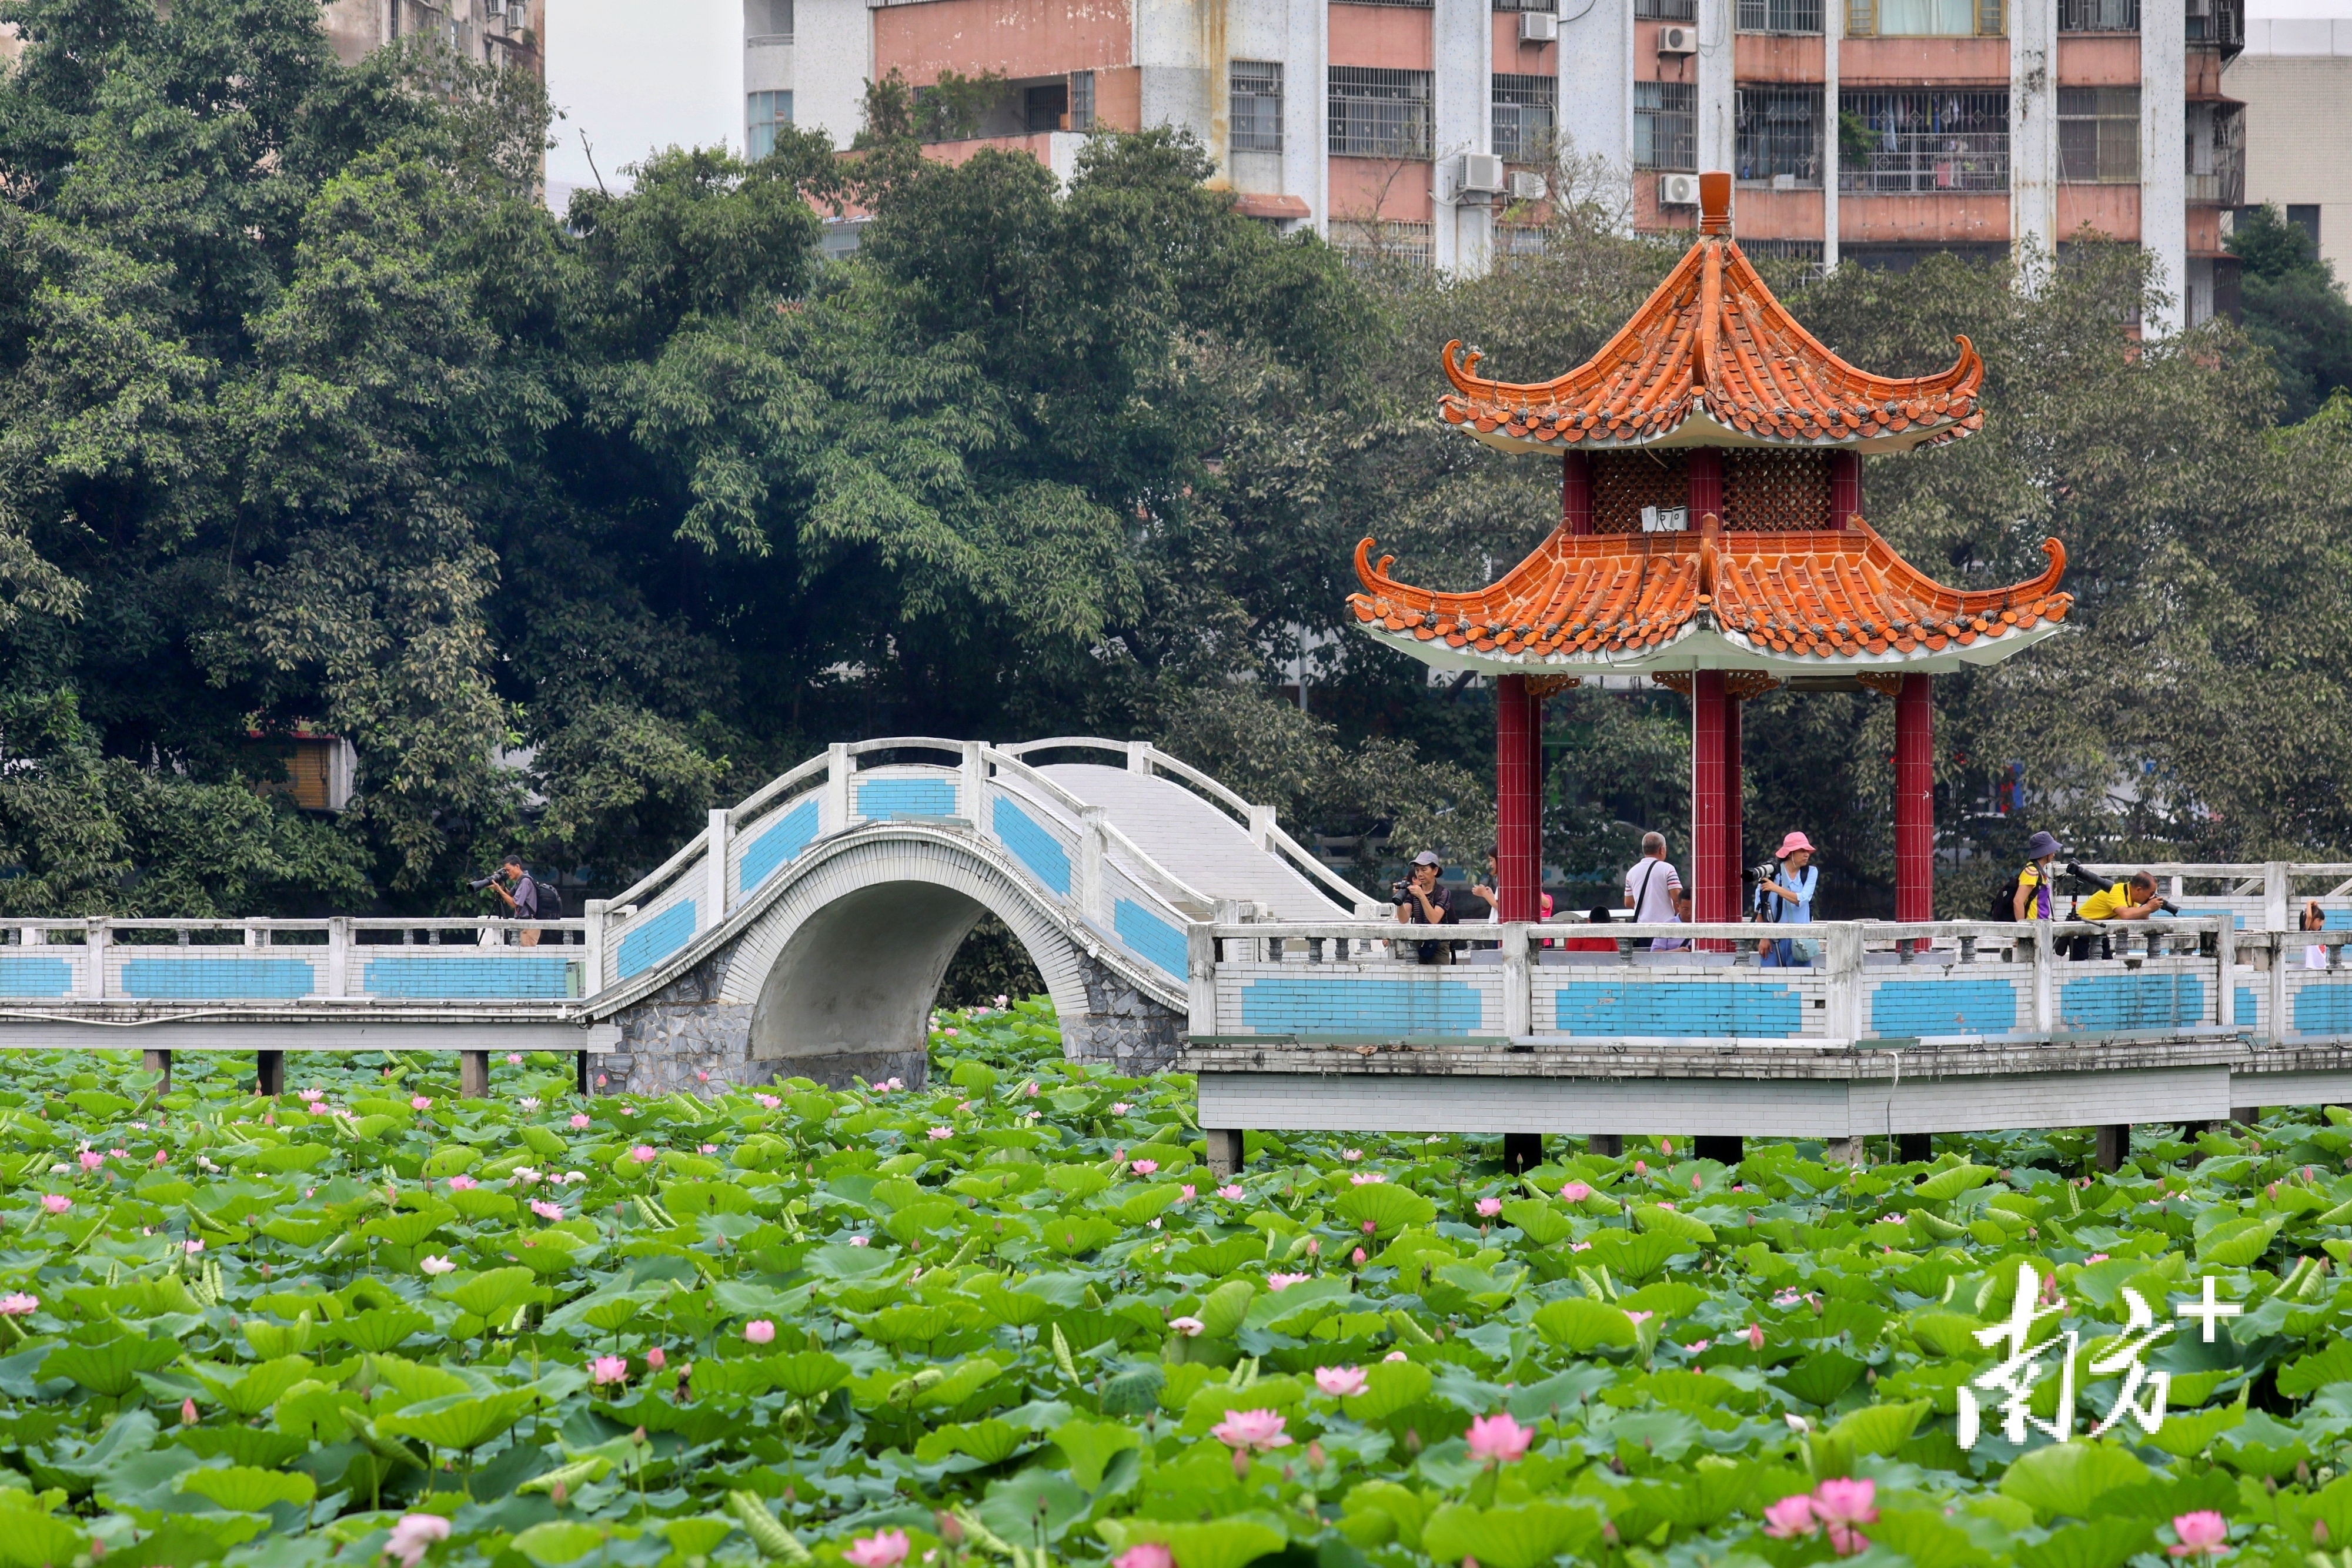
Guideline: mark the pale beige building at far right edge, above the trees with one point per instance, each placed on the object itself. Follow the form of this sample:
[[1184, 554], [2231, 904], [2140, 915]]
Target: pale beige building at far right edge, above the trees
[[2297, 83]]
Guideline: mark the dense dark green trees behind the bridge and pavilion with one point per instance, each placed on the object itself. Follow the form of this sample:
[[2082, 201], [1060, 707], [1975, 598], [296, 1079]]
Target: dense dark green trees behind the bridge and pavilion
[[580, 525]]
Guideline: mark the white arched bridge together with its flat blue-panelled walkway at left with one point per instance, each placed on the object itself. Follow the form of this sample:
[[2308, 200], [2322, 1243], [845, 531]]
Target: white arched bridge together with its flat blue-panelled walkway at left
[[803, 932]]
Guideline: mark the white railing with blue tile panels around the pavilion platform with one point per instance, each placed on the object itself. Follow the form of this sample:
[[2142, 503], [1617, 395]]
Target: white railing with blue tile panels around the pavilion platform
[[1866, 981]]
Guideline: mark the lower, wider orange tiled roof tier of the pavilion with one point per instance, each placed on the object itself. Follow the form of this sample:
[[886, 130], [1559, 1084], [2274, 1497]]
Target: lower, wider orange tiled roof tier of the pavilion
[[1704, 601]]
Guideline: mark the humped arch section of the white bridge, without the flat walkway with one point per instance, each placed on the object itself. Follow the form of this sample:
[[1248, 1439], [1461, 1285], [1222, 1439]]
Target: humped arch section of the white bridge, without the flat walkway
[[820, 932]]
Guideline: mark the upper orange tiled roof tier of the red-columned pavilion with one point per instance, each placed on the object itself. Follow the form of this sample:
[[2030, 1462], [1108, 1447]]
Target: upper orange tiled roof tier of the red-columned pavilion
[[1713, 361]]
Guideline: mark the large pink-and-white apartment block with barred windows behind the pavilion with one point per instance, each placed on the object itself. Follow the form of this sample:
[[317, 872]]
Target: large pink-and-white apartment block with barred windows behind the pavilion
[[1857, 128]]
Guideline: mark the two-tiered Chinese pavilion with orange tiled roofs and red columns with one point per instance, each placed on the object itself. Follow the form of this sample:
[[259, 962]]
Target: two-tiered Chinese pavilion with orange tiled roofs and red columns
[[1711, 537]]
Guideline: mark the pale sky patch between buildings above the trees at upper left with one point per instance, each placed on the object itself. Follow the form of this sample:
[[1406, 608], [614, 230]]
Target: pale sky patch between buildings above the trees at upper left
[[641, 76]]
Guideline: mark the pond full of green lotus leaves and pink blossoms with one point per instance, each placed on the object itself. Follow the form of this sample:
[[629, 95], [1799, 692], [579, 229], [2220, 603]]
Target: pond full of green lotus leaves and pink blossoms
[[1010, 1318]]
